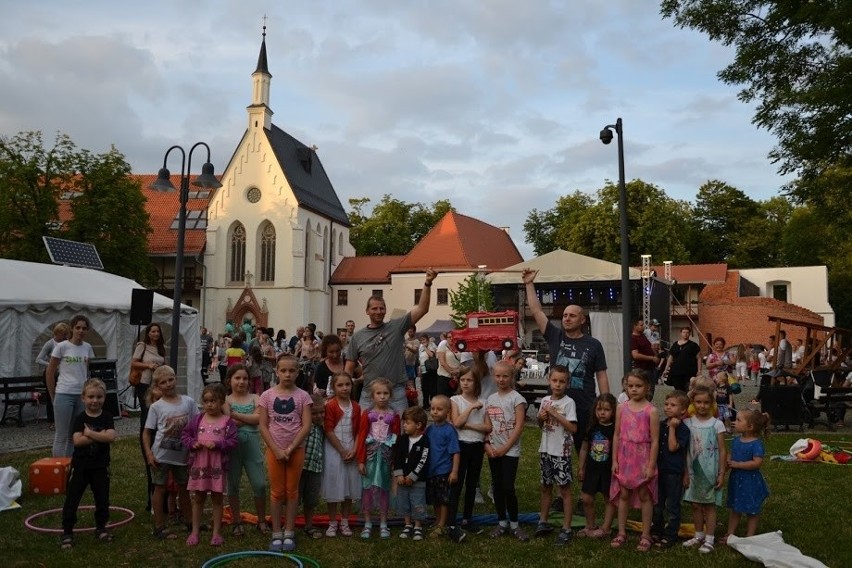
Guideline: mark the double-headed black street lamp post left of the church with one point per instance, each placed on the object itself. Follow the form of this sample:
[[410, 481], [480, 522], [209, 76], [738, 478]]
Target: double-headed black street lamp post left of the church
[[164, 183]]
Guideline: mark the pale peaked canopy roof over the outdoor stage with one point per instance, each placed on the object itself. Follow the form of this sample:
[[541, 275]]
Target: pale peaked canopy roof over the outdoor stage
[[563, 266]]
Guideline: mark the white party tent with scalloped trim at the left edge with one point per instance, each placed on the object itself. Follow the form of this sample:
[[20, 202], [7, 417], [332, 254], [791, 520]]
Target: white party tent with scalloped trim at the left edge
[[34, 297]]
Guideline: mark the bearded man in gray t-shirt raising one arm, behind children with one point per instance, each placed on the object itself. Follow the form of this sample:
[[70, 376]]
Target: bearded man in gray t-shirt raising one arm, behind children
[[378, 348]]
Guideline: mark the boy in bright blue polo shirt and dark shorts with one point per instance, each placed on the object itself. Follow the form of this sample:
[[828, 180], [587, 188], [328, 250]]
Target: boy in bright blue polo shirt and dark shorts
[[443, 467]]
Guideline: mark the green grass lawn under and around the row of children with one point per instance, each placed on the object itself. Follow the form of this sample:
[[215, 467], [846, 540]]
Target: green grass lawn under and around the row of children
[[808, 502]]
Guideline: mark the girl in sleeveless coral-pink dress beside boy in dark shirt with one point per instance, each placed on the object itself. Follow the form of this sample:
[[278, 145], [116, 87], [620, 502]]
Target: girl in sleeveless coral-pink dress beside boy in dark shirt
[[634, 463]]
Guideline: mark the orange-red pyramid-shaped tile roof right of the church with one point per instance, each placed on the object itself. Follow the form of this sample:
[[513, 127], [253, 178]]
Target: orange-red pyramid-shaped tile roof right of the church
[[461, 243]]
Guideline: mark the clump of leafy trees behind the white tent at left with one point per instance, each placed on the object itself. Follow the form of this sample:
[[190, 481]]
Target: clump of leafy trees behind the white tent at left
[[107, 207]]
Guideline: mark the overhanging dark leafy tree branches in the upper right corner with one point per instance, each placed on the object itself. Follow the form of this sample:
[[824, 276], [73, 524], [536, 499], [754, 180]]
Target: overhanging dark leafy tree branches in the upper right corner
[[794, 59]]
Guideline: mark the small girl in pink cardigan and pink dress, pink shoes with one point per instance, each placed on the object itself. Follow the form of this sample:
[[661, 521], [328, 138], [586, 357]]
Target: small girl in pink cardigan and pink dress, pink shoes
[[209, 437]]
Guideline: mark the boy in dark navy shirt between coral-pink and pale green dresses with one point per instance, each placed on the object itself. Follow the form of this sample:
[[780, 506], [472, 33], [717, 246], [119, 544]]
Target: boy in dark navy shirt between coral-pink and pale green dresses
[[671, 463]]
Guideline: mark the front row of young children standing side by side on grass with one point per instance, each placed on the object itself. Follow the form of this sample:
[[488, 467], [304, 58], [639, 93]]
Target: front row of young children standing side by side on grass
[[335, 450]]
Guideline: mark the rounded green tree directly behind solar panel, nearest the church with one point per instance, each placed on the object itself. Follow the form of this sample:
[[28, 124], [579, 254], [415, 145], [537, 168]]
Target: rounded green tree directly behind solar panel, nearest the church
[[109, 211]]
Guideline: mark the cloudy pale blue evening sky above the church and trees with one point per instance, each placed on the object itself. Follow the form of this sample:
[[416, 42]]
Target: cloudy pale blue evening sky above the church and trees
[[495, 105]]
